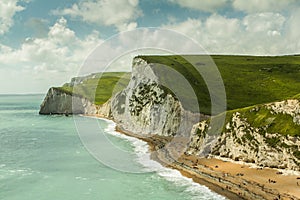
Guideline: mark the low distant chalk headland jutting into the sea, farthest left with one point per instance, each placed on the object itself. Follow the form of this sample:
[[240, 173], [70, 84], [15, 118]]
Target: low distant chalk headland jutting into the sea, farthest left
[[58, 101]]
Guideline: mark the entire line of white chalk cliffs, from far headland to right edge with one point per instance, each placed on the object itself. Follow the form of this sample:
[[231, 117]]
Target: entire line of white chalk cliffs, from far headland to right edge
[[256, 134]]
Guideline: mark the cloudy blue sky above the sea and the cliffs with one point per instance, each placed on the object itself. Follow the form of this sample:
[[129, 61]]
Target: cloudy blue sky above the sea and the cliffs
[[44, 43]]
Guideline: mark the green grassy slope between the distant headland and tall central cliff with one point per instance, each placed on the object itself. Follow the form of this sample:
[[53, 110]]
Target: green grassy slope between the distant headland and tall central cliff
[[99, 89]]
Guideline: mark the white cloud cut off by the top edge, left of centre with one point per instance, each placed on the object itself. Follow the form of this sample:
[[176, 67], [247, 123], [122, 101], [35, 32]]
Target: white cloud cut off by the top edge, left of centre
[[119, 13]]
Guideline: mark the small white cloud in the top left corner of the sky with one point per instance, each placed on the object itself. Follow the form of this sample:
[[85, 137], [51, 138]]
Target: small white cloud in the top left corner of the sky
[[8, 9]]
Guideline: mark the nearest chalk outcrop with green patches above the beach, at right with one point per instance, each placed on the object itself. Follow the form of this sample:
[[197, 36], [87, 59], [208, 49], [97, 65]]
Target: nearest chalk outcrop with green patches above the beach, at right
[[241, 140]]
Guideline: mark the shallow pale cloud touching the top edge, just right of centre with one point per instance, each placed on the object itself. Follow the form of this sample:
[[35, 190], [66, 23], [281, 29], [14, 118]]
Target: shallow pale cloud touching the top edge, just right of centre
[[203, 5]]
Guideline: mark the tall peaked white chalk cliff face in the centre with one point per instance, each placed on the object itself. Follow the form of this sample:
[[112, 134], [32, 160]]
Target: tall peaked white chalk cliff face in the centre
[[144, 107]]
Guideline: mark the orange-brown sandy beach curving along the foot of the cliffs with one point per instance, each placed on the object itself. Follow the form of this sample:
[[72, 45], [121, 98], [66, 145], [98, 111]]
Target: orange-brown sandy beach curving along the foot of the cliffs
[[231, 180]]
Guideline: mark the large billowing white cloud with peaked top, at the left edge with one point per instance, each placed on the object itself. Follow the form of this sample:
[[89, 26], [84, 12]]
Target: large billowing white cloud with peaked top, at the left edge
[[60, 49]]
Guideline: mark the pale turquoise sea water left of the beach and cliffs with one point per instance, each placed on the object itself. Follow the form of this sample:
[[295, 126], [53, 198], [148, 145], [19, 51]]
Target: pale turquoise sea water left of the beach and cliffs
[[42, 157]]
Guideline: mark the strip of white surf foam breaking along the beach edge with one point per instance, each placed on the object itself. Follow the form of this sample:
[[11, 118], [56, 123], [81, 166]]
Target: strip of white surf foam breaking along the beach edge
[[141, 149]]
